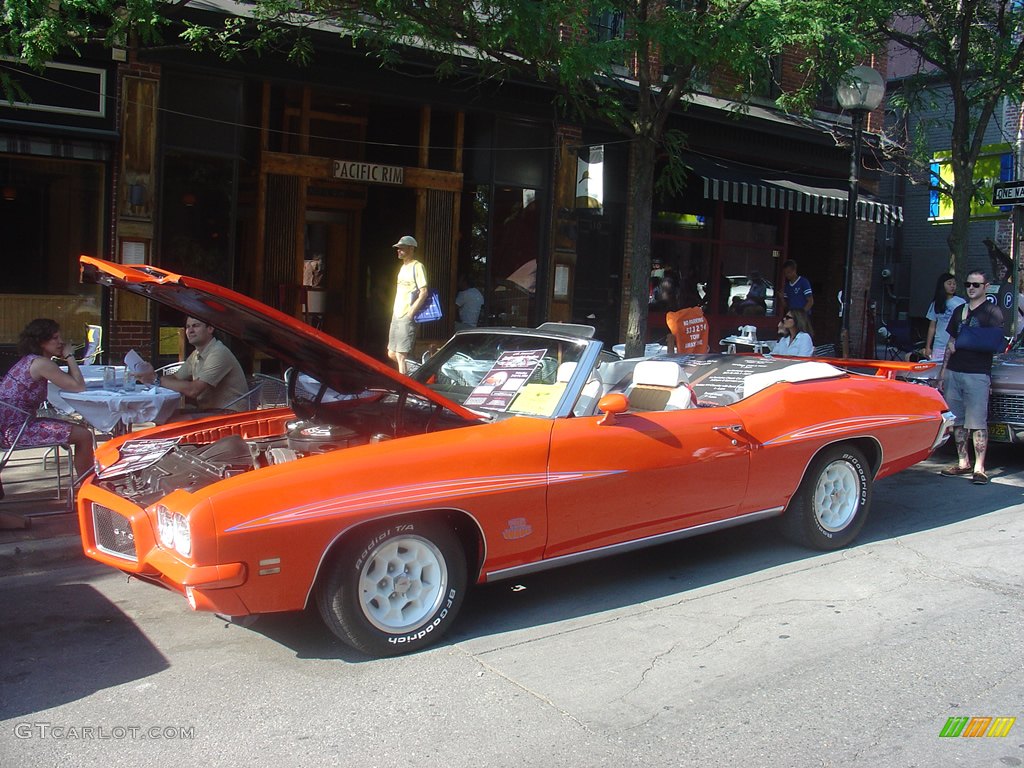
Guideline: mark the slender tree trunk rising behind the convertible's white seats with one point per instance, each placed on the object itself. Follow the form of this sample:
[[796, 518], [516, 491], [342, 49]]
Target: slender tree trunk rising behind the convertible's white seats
[[638, 223]]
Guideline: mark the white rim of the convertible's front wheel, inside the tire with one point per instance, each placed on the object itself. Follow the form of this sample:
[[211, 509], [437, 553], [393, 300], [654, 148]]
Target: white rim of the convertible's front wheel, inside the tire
[[402, 584]]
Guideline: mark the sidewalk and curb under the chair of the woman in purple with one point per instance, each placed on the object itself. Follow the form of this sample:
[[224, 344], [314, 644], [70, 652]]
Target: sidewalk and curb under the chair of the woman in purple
[[37, 529]]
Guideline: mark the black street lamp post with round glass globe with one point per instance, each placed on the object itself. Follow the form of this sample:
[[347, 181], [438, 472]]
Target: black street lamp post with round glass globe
[[861, 92]]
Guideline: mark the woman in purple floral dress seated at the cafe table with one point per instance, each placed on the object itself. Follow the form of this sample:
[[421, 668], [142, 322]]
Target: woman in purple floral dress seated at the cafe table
[[25, 388]]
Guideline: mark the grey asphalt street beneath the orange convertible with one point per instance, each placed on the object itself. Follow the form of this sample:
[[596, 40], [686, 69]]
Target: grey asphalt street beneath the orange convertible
[[736, 649]]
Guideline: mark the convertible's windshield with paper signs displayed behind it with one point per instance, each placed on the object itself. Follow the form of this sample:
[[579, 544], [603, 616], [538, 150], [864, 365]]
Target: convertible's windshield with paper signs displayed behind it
[[503, 373]]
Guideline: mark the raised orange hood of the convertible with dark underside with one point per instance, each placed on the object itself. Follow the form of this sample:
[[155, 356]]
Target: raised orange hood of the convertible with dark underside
[[343, 368]]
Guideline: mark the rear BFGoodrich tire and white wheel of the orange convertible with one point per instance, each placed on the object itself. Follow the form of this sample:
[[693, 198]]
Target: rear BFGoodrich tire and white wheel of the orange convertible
[[831, 506]]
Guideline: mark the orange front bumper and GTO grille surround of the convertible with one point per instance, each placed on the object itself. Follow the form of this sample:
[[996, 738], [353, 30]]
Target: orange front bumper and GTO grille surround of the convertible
[[121, 535]]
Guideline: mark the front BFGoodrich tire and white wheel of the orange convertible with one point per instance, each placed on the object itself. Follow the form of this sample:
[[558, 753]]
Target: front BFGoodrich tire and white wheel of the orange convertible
[[396, 588]]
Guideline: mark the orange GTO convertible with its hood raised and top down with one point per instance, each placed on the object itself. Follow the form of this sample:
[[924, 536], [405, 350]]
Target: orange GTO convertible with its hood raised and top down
[[381, 498]]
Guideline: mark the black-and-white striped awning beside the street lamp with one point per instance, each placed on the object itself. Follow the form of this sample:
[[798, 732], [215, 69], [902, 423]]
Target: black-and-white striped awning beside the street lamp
[[788, 192]]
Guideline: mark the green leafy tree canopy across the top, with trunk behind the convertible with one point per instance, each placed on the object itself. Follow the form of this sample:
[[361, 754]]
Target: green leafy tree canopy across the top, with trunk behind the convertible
[[626, 64]]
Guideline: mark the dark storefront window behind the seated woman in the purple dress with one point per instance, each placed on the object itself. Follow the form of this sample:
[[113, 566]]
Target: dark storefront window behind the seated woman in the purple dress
[[52, 211]]
